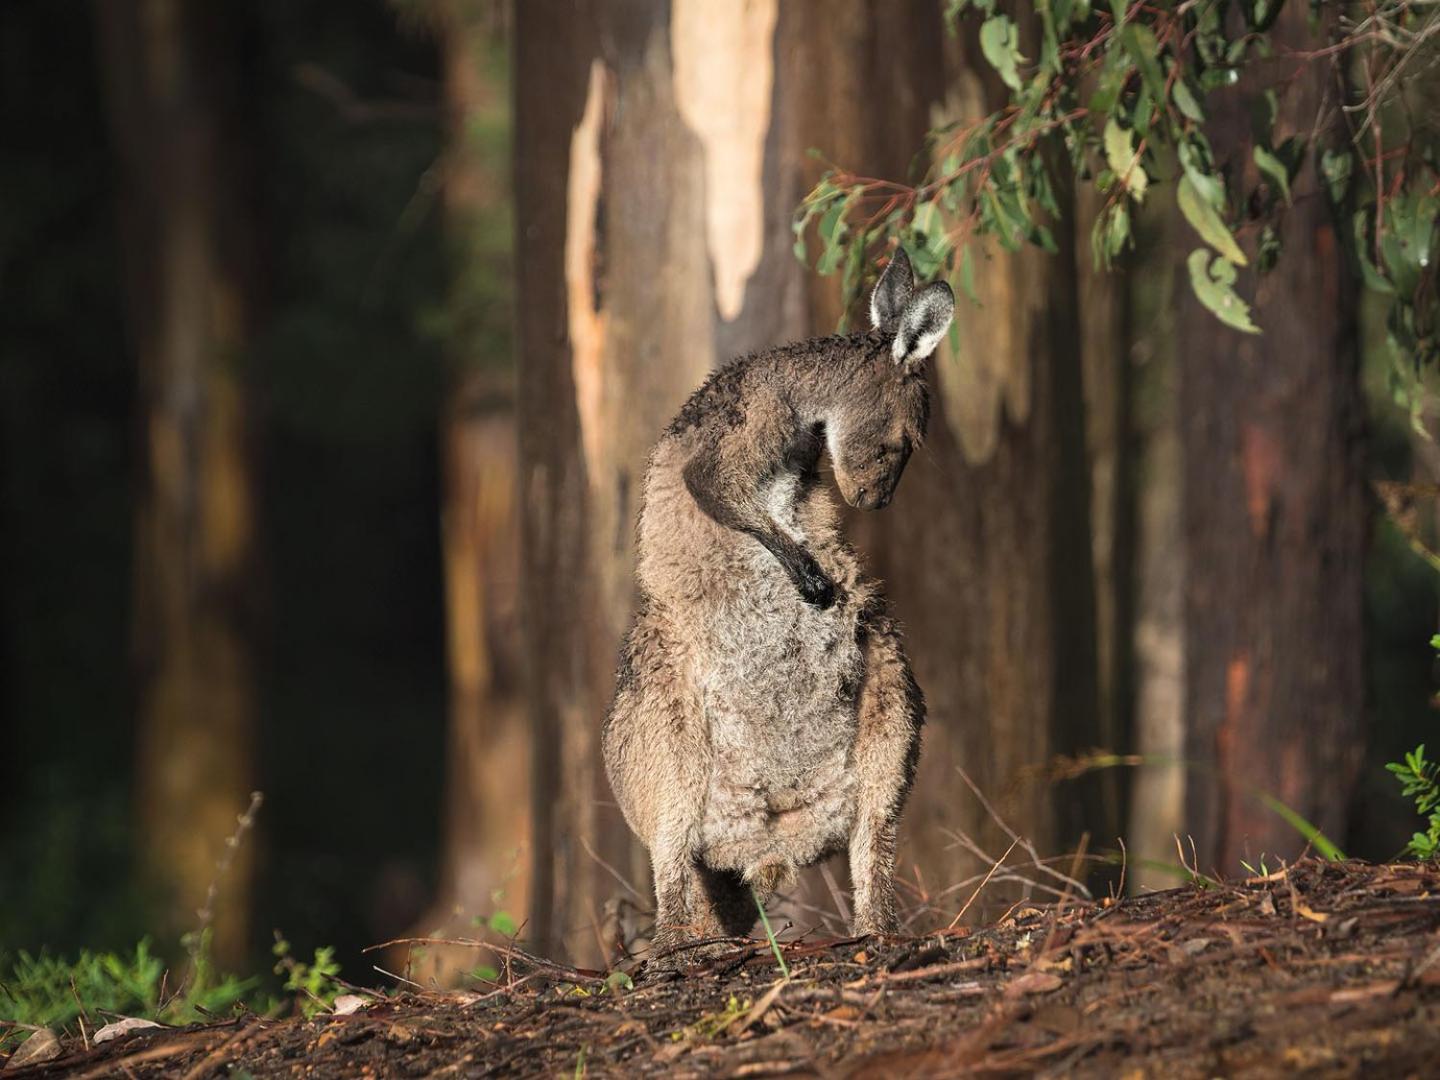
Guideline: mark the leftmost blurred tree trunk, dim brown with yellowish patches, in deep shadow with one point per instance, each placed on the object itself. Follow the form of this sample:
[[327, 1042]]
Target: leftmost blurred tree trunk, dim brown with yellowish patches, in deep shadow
[[176, 96]]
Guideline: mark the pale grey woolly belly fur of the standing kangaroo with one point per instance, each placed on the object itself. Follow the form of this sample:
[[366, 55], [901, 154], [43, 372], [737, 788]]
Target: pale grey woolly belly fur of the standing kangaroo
[[778, 683]]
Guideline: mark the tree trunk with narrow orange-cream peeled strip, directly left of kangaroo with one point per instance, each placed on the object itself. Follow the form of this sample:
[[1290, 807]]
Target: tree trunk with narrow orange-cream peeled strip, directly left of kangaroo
[[616, 326]]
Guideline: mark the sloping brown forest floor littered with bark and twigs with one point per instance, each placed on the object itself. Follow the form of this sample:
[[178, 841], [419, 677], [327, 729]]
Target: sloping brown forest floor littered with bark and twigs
[[1317, 970]]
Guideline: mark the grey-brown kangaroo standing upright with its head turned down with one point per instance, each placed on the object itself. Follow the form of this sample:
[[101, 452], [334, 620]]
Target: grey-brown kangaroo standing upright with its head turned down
[[765, 714]]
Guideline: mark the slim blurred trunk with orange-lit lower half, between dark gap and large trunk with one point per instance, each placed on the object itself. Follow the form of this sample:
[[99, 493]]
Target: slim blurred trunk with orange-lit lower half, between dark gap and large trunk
[[487, 787]]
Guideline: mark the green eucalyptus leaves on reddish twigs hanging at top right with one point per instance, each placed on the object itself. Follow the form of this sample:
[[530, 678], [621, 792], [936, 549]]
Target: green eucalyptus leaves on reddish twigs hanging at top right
[[1118, 96]]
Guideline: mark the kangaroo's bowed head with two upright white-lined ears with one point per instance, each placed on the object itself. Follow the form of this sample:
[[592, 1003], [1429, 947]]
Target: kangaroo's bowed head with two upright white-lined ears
[[883, 411]]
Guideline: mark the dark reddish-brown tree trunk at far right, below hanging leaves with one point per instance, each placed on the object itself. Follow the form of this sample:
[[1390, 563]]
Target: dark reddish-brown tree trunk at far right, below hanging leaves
[[1275, 525]]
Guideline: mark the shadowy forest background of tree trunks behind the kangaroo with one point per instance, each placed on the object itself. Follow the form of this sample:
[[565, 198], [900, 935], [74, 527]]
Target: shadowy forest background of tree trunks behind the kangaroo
[[335, 338]]
